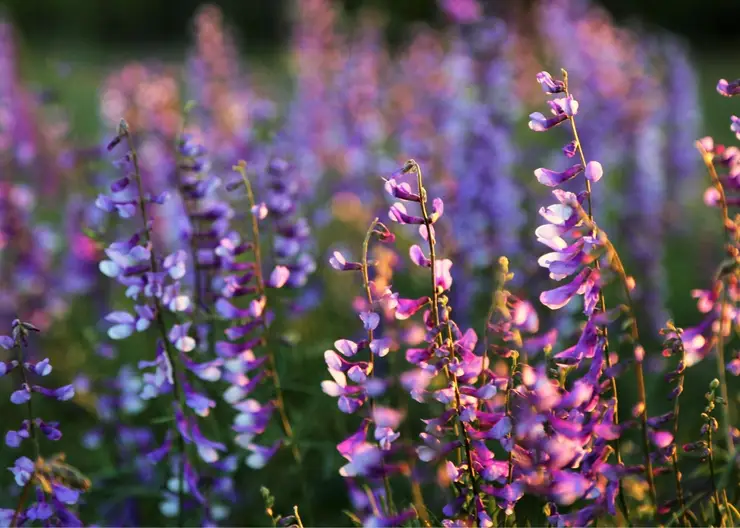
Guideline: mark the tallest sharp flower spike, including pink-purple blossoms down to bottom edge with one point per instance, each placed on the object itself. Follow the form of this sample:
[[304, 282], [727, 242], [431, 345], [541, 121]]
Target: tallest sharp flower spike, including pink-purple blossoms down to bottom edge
[[578, 245]]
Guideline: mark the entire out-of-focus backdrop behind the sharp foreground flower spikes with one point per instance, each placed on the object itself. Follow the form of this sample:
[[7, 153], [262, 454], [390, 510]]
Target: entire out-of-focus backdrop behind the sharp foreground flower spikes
[[346, 91]]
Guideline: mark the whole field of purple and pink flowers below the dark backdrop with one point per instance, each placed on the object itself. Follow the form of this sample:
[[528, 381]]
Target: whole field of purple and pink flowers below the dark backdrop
[[524, 416]]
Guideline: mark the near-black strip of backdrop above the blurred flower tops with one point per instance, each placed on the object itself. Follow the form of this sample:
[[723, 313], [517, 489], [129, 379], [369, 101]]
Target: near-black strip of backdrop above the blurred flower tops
[[264, 23]]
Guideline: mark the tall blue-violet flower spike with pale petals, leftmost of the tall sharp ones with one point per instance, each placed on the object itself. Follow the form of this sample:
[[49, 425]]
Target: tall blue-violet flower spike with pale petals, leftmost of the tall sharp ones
[[154, 283]]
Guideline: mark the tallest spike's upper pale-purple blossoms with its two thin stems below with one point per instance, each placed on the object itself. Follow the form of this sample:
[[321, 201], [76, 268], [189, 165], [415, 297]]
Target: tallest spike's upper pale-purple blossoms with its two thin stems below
[[566, 217]]
